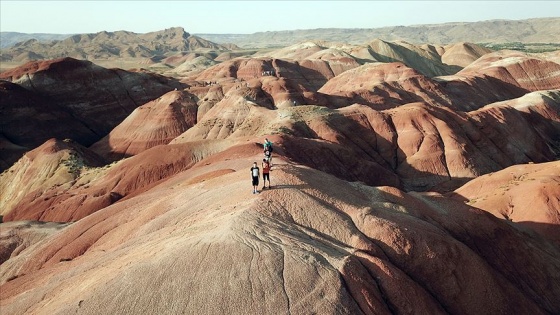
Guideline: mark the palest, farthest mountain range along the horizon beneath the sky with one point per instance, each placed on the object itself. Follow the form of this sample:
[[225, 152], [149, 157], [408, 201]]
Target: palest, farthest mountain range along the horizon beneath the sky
[[538, 30]]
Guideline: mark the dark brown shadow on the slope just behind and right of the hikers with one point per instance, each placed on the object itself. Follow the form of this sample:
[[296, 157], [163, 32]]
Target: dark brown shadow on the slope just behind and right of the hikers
[[360, 154]]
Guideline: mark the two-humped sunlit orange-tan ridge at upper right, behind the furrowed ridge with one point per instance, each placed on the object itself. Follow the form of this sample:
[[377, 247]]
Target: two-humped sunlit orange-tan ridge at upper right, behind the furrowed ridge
[[492, 78]]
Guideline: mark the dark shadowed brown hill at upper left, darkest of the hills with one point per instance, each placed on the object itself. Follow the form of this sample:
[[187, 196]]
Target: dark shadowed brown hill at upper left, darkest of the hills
[[69, 98]]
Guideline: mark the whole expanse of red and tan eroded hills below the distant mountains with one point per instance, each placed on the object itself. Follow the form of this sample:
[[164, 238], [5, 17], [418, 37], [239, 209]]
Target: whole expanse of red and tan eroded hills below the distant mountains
[[406, 179]]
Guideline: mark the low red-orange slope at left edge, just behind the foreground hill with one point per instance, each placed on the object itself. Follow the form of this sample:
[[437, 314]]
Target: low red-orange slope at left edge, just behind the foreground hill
[[75, 197]]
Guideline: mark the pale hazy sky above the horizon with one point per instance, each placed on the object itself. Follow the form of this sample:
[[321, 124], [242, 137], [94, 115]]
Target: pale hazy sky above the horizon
[[241, 17]]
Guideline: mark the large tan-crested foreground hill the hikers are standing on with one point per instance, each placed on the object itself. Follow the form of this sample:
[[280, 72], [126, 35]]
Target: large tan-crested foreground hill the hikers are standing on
[[313, 243]]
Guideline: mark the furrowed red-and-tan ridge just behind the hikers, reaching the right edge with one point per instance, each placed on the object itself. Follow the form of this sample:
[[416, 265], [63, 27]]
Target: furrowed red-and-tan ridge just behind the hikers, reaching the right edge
[[413, 146]]
